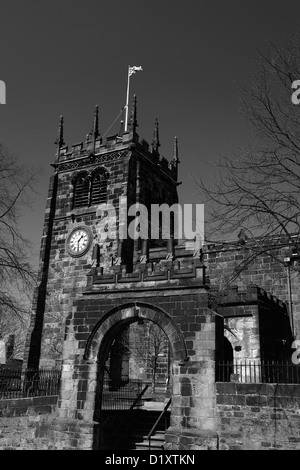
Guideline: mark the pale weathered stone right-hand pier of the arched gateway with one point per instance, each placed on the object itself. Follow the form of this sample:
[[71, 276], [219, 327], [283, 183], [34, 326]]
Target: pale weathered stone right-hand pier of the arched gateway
[[193, 413]]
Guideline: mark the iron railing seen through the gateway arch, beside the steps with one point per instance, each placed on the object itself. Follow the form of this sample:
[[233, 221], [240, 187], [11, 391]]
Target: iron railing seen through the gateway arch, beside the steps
[[121, 394]]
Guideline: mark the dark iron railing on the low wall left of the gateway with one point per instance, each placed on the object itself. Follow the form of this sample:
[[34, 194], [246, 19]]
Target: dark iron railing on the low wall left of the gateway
[[30, 383]]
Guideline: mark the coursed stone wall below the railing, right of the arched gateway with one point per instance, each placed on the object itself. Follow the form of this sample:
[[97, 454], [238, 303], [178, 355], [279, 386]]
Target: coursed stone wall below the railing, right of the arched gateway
[[258, 416]]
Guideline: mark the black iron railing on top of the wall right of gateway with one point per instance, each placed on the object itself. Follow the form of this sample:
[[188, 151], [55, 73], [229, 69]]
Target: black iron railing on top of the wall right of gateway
[[258, 372]]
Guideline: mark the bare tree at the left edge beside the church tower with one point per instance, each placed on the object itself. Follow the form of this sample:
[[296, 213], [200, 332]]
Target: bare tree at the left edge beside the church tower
[[17, 276]]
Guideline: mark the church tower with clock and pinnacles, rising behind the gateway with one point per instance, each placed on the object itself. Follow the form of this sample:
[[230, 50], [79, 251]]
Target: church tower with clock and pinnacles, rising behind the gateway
[[93, 185]]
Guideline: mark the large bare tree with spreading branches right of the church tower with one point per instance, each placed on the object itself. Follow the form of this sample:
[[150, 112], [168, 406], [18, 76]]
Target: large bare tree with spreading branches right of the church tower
[[255, 194]]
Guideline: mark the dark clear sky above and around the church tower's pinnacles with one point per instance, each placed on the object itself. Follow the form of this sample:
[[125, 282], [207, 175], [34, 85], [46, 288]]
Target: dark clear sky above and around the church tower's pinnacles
[[64, 57]]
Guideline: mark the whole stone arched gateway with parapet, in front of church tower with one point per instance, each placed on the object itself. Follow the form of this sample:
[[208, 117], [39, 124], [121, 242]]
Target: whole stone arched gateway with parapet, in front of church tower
[[191, 329]]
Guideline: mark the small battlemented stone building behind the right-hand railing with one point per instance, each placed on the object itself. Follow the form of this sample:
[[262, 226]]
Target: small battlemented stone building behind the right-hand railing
[[256, 322]]
